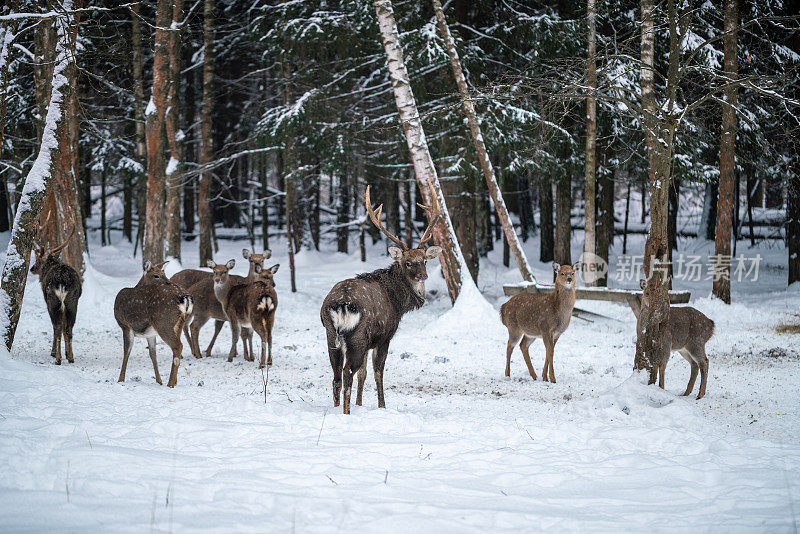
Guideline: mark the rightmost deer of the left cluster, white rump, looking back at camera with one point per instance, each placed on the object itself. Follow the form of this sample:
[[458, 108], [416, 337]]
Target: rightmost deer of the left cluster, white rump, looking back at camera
[[252, 305]]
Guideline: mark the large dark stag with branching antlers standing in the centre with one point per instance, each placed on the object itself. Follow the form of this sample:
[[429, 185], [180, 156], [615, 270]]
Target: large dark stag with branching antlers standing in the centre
[[363, 313]]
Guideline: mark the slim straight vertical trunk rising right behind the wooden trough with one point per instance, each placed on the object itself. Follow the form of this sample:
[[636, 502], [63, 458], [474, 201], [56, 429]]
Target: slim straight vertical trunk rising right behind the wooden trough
[[590, 188]]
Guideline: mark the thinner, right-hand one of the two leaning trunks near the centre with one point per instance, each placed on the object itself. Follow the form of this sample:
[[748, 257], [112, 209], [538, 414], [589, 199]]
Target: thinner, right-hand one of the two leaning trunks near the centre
[[480, 147]]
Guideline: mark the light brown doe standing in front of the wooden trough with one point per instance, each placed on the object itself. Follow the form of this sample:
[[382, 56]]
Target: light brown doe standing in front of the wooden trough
[[528, 316]]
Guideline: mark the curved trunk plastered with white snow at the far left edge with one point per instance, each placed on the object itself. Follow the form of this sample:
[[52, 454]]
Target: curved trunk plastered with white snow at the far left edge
[[15, 270]]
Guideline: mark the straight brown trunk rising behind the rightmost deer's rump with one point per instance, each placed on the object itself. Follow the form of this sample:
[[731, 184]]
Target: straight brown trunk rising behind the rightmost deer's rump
[[727, 160]]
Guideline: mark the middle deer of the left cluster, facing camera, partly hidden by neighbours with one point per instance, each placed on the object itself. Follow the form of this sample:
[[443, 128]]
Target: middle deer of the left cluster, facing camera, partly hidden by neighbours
[[208, 294]]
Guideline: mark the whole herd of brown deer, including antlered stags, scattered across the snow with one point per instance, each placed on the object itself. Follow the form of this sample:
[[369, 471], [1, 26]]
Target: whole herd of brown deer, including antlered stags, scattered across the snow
[[359, 314]]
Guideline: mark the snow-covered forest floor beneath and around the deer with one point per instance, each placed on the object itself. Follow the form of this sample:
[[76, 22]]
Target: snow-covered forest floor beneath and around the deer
[[459, 449]]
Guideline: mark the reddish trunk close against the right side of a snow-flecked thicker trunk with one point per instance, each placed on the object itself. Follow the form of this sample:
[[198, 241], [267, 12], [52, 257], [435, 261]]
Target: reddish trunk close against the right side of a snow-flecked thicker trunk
[[174, 136]]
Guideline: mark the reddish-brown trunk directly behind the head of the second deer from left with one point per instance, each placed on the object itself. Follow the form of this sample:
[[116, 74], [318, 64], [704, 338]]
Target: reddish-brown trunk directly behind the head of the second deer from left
[[154, 134]]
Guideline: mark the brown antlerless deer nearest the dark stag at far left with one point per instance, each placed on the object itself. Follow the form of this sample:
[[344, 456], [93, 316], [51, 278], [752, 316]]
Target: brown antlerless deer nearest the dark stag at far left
[[155, 306]]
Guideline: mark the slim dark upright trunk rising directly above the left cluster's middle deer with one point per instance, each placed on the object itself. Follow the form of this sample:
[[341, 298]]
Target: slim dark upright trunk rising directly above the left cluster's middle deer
[[204, 212]]
